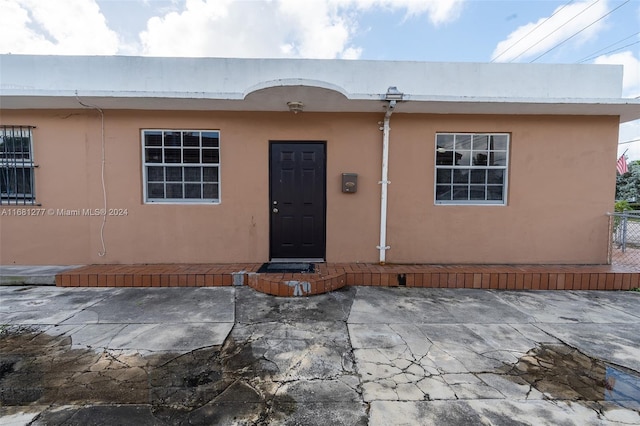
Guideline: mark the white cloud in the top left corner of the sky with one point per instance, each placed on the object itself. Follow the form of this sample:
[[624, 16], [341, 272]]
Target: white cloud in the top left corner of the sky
[[55, 27]]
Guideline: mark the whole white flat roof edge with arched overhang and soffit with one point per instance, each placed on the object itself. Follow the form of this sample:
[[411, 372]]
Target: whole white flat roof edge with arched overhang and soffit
[[225, 84]]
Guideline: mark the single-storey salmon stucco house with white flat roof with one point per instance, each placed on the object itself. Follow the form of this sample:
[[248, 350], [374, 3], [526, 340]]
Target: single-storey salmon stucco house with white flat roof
[[152, 160]]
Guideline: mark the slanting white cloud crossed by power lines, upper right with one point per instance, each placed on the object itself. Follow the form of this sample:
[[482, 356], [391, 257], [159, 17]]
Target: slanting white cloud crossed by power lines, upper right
[[528, 41]]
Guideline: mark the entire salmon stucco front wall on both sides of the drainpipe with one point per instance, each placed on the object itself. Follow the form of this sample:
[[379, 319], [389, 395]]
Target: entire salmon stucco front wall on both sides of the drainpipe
[[561, 185]]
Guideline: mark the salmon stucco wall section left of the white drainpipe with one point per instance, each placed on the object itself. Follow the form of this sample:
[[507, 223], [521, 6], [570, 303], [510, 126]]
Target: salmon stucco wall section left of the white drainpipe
[[67, 148]]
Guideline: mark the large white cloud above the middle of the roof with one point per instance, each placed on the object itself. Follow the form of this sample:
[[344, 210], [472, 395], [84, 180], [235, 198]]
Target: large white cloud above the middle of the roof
[[276, 28]]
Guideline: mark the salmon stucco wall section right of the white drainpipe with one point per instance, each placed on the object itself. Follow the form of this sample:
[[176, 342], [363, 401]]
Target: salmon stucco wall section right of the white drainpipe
[[561, 185]]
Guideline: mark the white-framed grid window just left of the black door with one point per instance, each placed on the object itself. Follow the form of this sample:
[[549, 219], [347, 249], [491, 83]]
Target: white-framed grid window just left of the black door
[[181, 166]]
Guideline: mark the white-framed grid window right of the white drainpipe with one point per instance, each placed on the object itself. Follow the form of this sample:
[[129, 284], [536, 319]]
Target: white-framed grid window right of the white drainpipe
[[471, 168]]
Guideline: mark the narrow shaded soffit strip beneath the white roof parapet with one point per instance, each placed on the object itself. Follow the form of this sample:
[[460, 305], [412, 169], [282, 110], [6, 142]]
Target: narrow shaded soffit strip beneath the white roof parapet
[[625, 109]]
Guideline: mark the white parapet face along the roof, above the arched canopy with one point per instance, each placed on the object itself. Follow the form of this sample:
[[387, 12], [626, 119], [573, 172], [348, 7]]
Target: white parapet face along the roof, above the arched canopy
[[123, 74]]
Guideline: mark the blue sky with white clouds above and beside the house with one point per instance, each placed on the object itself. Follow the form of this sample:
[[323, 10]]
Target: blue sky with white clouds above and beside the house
[[536, 31]]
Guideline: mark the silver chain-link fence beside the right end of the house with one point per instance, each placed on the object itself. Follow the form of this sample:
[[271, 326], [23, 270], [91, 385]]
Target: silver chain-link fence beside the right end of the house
[[625, 238]]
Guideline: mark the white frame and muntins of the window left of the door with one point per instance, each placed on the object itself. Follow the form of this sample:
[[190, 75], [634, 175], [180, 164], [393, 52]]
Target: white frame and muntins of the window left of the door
[[166, 165]]
